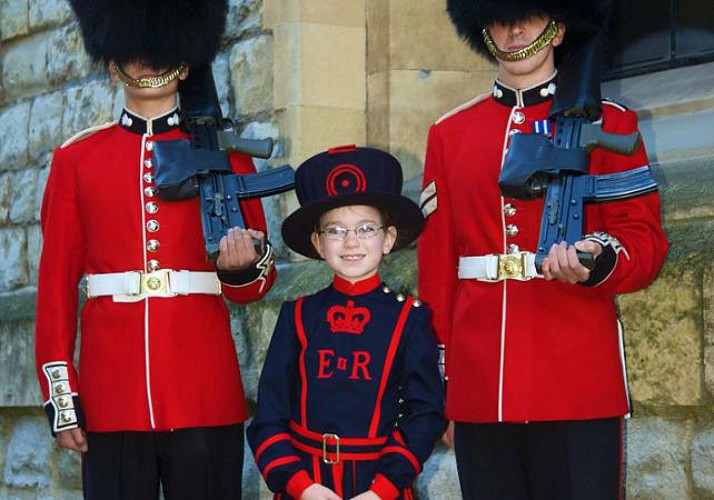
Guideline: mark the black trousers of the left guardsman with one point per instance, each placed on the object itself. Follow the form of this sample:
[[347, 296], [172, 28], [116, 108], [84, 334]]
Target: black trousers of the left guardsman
[[192, 464]]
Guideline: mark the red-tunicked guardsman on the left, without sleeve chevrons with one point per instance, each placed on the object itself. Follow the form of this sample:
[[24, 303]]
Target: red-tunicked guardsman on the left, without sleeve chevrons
[[158, 395]]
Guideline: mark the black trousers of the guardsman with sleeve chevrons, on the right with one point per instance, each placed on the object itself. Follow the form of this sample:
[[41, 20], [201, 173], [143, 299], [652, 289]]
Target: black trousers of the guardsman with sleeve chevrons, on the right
[[568, 460]]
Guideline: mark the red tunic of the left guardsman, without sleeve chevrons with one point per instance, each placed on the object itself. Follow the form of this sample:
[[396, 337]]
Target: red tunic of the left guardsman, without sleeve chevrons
[[155, 364]]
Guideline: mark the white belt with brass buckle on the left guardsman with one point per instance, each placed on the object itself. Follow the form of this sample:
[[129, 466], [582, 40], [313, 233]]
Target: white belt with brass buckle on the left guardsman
[[132, 286]]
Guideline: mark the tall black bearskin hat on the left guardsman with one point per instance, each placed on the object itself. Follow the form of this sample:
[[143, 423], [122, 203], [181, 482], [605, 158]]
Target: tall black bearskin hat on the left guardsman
[[161, 33]]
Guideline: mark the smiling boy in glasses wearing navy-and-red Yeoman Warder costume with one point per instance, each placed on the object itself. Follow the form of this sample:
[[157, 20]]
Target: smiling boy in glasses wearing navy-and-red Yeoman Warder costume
[[350, 399]]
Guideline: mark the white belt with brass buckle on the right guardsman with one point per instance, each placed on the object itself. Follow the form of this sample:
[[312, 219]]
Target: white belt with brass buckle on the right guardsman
[[496, 267]]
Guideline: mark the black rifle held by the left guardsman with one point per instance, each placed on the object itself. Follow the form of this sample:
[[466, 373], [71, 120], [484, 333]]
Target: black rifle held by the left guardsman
[[200, 166]]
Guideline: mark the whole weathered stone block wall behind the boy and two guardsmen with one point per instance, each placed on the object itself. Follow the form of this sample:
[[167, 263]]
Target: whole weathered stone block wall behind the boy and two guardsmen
[[316, 74]]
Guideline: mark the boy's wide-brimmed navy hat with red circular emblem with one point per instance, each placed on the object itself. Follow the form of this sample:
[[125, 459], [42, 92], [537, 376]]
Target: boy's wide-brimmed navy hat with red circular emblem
[[348, 175]]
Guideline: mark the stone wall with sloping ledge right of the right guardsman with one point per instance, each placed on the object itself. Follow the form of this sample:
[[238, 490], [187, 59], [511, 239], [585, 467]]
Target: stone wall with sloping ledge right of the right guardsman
[[669, 327]]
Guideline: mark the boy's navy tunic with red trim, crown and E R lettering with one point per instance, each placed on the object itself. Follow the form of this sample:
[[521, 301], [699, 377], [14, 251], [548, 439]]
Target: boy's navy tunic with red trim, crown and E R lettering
[[354, 363]]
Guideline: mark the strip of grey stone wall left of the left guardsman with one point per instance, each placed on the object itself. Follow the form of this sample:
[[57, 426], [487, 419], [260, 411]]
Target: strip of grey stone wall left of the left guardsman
[[39, 56]]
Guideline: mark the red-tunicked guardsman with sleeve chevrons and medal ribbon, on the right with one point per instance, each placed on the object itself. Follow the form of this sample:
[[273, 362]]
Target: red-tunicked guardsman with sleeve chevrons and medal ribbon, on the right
[[537, 385]]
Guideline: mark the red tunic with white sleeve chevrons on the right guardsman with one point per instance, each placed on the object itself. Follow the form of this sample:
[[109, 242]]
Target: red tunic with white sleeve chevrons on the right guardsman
[[526, 350]]
